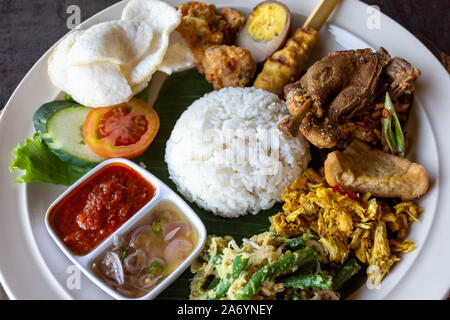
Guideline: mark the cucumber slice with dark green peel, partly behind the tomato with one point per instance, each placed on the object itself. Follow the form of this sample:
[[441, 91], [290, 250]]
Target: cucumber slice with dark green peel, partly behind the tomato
[[60, 124]]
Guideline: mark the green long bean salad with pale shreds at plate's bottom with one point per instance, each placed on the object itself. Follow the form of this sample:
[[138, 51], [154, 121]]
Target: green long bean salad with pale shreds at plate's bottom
[[268, 266]]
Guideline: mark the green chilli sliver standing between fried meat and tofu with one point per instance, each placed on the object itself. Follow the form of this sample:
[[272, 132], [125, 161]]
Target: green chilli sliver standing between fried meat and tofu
[[394, 138]]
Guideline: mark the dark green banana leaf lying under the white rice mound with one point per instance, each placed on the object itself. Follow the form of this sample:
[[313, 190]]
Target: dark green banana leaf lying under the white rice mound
[[178, 93]]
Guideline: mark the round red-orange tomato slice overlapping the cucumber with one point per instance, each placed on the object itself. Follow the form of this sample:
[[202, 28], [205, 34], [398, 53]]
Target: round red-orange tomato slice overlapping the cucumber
[[121, 131]]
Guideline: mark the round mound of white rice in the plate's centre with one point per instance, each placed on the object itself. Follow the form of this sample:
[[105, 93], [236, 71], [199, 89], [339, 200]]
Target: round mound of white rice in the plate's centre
[[227, 155]]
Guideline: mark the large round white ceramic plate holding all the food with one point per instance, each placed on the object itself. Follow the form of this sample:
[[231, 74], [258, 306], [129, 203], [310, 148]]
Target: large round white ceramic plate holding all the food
[[32, 266]]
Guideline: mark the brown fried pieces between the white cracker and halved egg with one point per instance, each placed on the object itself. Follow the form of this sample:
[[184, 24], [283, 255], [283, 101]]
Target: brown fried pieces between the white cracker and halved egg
[[202, 27]]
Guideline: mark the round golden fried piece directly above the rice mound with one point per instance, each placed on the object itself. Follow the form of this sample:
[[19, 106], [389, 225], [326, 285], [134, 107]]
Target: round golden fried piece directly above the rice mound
[[228, 66]]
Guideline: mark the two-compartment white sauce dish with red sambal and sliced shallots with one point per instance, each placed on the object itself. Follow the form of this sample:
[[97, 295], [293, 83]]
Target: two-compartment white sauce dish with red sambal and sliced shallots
[[124, 228]]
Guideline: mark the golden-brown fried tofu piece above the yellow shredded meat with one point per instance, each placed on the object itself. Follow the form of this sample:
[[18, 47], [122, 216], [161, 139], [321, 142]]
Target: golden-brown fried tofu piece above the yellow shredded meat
[[360, 168]]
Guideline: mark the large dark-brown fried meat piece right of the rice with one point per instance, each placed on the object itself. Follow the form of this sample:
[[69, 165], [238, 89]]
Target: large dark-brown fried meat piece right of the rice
[[339, 90]]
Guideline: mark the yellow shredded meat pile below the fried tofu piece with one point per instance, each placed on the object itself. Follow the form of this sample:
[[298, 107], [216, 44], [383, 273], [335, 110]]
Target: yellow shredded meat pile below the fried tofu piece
[[347, 223]]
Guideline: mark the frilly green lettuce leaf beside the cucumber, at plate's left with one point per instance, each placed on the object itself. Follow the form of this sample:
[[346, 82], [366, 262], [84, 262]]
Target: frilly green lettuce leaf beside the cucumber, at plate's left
[[40, 164]]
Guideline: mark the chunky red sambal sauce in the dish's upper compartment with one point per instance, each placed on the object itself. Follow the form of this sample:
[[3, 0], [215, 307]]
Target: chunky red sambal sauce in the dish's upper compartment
[[99, 206]]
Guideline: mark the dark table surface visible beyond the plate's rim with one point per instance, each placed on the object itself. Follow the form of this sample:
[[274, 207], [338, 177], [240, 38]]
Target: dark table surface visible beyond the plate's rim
[[29, 28]]
